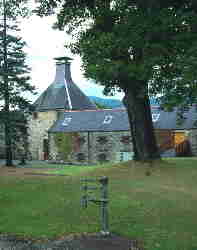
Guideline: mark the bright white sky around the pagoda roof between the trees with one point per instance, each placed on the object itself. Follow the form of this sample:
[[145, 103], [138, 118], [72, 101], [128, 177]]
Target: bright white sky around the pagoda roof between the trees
[[43, 45]]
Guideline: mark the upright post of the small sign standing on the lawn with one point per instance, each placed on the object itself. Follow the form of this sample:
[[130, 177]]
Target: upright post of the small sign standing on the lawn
[[104, 205]]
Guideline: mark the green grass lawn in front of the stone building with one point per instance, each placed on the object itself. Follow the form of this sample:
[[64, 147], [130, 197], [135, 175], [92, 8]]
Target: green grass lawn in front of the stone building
[[159, 209]]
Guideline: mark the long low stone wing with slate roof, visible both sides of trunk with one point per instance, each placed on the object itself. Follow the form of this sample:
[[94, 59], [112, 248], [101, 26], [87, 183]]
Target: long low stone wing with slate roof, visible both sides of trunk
[[103, 135]]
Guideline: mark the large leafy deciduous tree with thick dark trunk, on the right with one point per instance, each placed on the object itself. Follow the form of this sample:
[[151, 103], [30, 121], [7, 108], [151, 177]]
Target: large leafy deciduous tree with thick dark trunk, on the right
[[143, 47]]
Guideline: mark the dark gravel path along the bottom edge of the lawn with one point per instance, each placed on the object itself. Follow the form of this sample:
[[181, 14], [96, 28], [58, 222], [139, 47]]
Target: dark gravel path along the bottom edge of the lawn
[[85, 242]]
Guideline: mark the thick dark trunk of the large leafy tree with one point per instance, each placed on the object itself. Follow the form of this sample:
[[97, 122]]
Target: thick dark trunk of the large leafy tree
[[142, 131]]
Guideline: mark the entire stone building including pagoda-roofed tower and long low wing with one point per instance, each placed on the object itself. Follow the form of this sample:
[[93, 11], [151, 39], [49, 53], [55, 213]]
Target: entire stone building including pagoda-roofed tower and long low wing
[[67, 126]]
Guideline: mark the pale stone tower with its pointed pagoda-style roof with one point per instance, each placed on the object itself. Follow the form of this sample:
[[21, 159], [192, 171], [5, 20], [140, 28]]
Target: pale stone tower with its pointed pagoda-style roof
[[61, 95]]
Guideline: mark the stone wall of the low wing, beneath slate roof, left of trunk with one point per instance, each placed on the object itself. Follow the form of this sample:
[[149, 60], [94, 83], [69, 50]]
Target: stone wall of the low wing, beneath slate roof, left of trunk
[[94, 147]]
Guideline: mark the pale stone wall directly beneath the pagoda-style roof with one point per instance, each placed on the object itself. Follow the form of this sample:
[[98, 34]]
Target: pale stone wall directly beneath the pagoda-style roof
[[39, 123]]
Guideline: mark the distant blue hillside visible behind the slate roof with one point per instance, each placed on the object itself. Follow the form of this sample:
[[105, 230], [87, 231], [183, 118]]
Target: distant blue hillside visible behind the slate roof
[[114, 103]]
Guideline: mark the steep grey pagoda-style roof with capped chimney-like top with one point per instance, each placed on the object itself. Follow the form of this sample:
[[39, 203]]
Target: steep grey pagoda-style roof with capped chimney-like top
[[63, 93]]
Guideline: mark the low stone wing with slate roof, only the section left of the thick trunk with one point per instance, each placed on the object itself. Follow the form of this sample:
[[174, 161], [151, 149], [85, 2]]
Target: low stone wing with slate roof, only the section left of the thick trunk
[[93, 135]]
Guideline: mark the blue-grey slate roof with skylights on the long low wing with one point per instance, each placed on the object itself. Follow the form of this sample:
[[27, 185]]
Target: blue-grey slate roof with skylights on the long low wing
[[117, 120]]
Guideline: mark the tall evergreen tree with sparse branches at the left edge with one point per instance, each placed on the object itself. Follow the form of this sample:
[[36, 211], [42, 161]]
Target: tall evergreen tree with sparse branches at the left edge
[[14, 79]]
